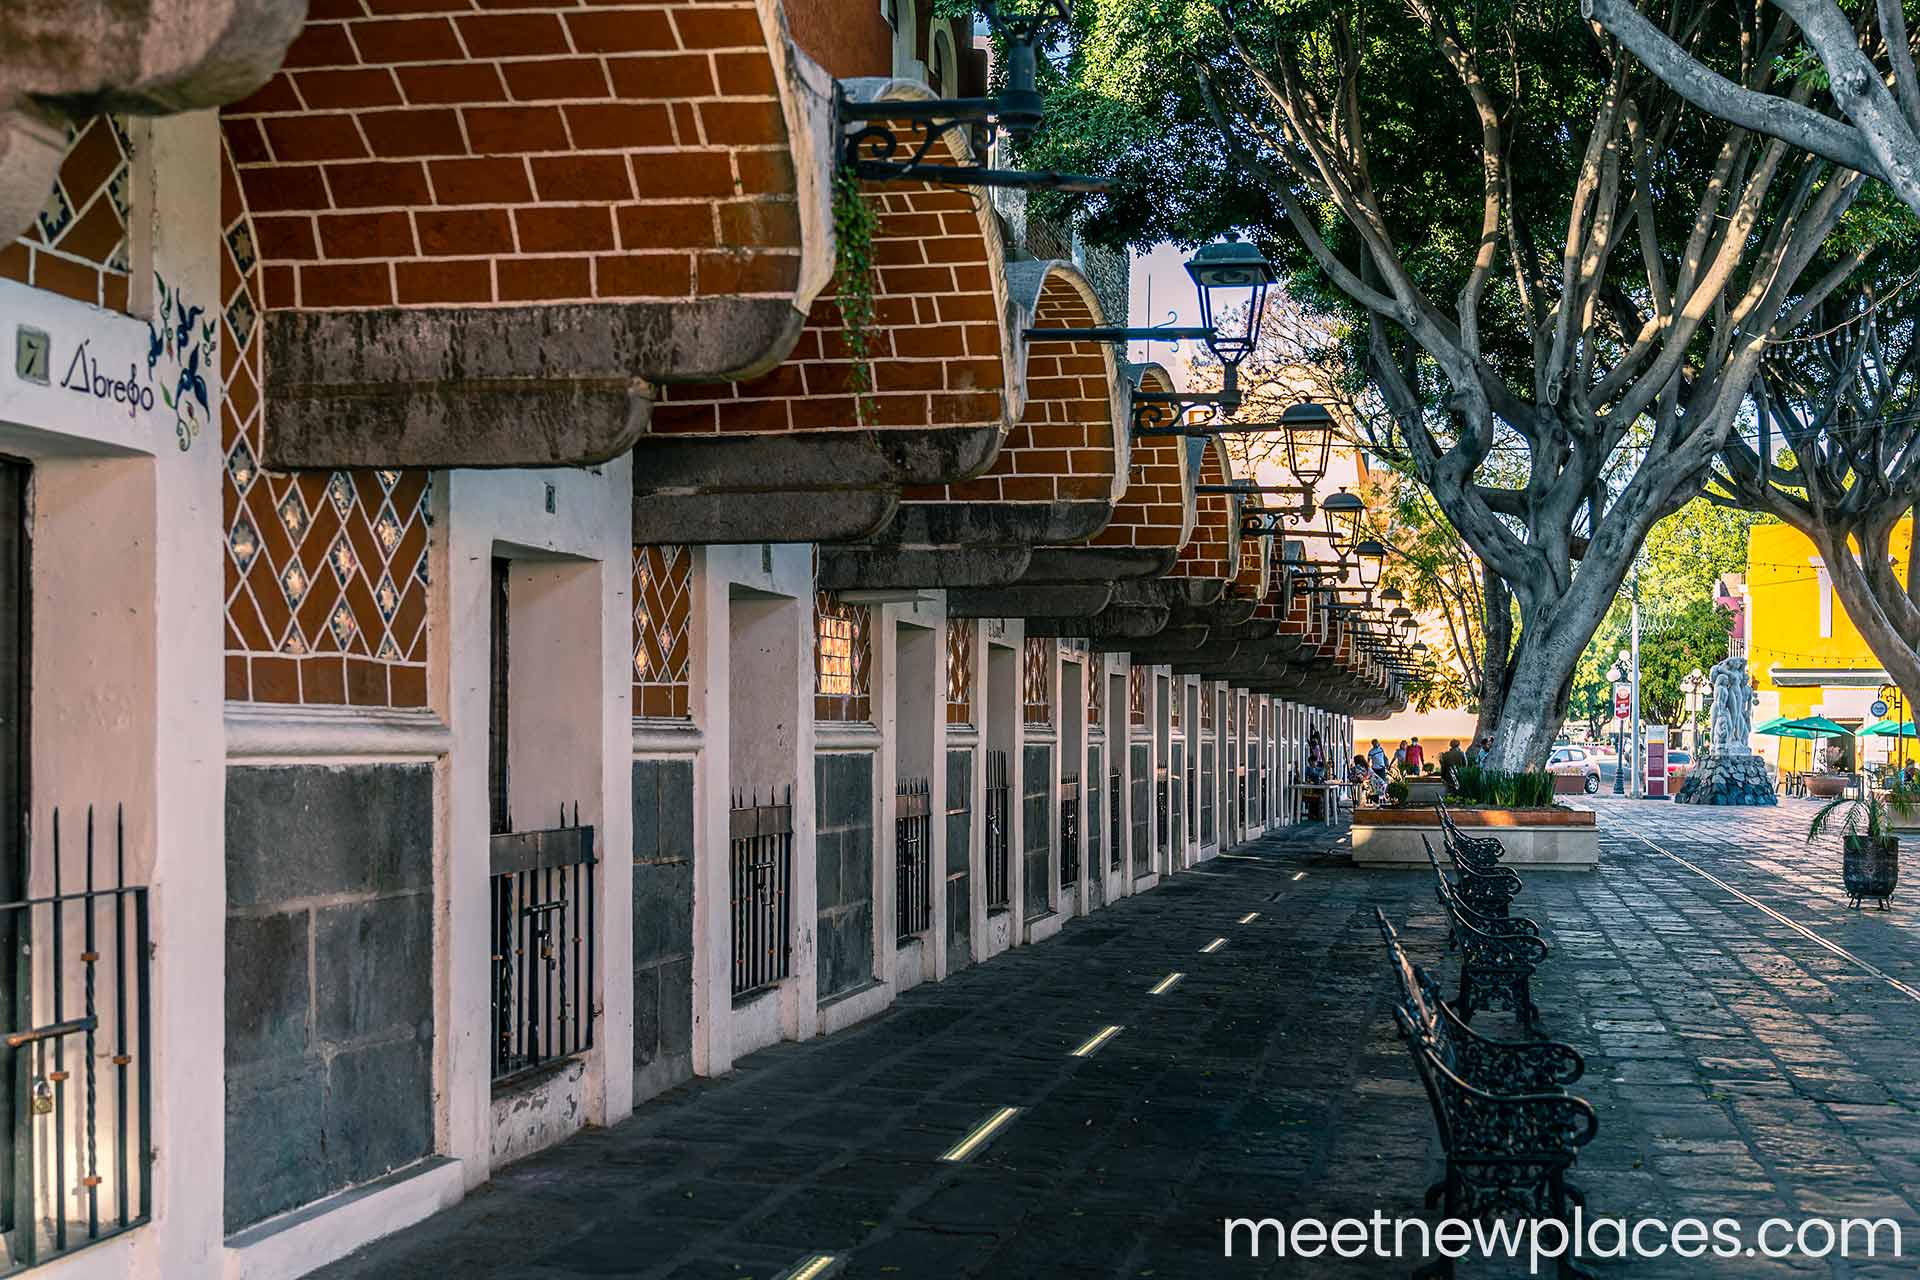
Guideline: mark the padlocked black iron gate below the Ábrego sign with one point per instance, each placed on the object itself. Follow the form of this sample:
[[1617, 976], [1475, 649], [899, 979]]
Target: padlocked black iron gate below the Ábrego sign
[[60, 1191]]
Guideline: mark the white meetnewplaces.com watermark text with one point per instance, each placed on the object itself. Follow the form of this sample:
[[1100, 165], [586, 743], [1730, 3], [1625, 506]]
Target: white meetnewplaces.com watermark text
[[1548, 1241]]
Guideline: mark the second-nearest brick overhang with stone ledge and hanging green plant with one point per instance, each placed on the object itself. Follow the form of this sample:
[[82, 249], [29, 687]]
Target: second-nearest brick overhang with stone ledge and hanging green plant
[[946, 389]]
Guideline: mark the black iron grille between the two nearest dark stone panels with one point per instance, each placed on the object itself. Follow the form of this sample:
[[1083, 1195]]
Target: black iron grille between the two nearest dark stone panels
[[544, 945]]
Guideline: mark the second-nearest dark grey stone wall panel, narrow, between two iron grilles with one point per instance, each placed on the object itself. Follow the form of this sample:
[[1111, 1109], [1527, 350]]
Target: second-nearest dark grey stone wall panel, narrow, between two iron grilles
[[663, 924]]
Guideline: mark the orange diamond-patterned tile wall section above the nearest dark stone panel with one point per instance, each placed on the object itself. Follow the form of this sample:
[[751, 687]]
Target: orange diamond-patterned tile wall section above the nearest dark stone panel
[[325, 573]]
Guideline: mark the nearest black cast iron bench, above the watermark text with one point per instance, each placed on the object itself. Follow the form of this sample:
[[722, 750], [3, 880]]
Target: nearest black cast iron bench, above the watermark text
[[1508, 1126]]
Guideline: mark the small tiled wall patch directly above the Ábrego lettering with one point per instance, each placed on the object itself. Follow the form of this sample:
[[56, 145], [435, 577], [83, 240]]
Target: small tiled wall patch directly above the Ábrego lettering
[[78, 245]]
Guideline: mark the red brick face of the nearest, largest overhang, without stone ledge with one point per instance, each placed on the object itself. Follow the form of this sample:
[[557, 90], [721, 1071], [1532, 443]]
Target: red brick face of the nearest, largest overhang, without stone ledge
[[433, 153]]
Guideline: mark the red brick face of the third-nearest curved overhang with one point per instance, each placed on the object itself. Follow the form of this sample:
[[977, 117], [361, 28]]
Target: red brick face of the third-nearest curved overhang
[[1063, 448]]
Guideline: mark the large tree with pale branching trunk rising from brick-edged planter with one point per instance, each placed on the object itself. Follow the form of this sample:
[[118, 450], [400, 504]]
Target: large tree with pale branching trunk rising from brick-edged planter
[[1552, 264]]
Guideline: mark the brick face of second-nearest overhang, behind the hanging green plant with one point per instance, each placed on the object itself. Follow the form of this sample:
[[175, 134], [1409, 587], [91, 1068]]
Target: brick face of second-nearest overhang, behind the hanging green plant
[[938, 341]]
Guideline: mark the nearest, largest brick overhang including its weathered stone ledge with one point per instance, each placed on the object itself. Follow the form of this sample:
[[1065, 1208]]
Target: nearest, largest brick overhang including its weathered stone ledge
[[489, 233]]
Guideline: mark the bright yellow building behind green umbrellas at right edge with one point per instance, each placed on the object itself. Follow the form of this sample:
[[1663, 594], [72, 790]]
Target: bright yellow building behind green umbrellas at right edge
[[1806, 655]]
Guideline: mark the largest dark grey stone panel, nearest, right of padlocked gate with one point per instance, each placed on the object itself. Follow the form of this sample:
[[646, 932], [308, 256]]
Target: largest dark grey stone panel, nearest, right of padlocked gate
[[329, 999]]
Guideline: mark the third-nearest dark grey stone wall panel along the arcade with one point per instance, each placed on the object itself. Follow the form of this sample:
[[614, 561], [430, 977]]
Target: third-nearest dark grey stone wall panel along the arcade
[[844, 870]]
